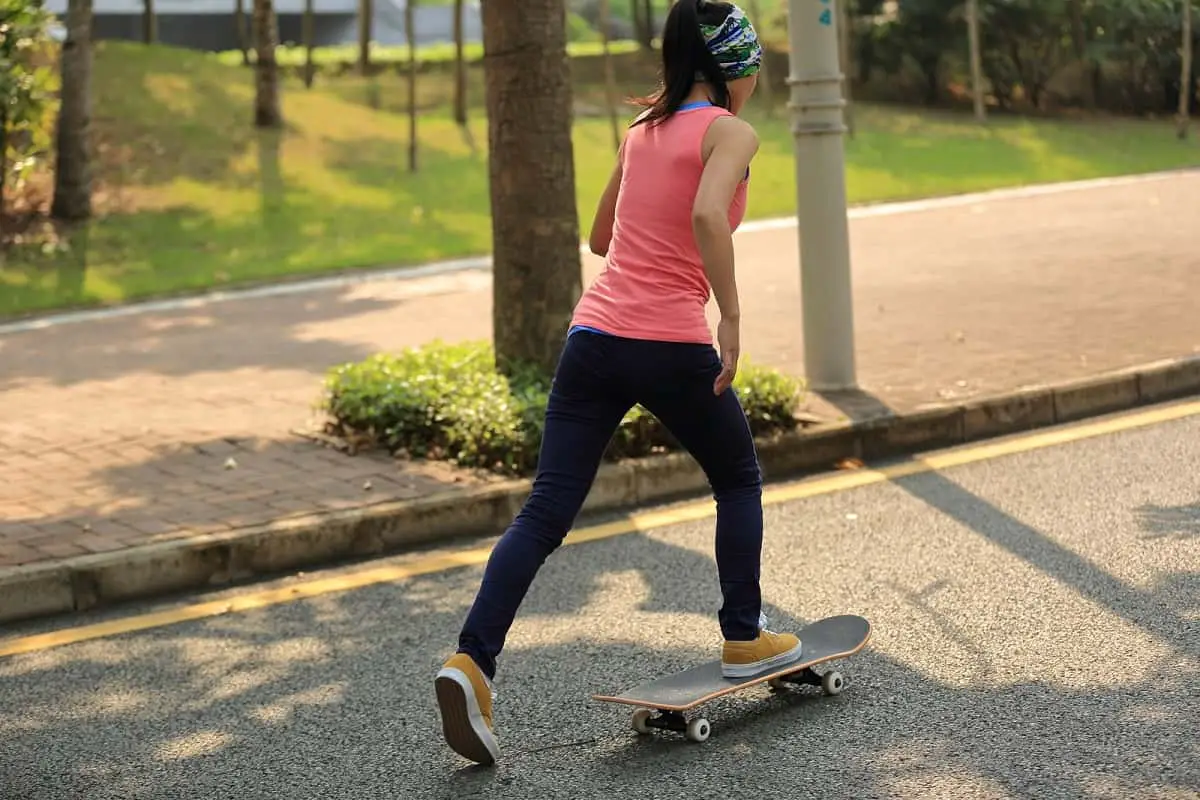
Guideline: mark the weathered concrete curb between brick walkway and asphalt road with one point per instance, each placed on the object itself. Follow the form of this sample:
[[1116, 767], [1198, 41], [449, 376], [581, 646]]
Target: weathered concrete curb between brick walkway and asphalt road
[[214, 561]]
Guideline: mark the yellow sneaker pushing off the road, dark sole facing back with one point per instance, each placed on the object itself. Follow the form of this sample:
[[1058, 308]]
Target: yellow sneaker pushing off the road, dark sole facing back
[[465, 699]]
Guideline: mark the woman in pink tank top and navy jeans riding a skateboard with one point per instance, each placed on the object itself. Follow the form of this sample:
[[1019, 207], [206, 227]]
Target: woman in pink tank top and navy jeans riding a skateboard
[[640, 335]]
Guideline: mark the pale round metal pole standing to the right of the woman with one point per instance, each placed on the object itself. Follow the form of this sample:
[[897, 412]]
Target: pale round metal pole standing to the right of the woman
[[819, 130]]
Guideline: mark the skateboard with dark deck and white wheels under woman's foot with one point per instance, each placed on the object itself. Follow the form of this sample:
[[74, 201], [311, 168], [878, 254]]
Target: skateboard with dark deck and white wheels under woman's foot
[[673, 697]]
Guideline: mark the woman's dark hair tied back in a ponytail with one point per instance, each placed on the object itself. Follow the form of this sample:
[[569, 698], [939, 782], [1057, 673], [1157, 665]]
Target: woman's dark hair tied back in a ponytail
[[685, 56]]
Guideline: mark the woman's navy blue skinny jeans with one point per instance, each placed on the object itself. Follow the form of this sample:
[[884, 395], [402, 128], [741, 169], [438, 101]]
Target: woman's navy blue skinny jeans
[[599, 378]]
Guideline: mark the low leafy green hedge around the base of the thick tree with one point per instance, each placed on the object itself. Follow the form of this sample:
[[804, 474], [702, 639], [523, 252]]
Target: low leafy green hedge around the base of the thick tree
[[448, 402]]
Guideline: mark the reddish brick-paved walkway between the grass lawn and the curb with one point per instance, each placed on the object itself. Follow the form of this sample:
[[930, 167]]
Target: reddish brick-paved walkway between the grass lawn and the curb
[[118, 432]]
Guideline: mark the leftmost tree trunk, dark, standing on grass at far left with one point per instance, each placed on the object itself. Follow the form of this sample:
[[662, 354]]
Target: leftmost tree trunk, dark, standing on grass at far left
[[73, 172]]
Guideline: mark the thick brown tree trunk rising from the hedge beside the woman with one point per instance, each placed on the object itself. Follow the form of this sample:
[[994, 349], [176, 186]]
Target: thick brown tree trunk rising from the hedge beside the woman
[[536, 231]]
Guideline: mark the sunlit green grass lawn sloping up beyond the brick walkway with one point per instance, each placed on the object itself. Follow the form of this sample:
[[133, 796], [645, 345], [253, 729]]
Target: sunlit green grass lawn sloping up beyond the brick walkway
[[193, 197]]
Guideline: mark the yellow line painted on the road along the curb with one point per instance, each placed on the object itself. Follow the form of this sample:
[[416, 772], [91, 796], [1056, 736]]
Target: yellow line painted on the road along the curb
[[628, 525]]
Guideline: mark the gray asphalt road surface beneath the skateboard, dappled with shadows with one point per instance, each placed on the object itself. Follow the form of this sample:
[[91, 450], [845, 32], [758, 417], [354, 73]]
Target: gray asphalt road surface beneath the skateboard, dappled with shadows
[[1037, 635]]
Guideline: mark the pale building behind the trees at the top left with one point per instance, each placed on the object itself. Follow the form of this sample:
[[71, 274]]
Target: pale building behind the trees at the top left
[[209, 25]]
